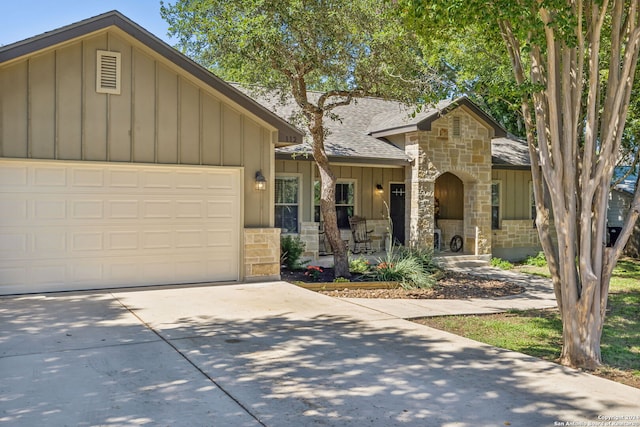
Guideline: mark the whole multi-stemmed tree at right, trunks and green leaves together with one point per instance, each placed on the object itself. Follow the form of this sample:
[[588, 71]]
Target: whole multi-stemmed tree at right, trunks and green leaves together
[[573, 64]]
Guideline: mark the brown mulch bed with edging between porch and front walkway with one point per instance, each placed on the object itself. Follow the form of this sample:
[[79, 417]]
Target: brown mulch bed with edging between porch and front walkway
[[452, 285]]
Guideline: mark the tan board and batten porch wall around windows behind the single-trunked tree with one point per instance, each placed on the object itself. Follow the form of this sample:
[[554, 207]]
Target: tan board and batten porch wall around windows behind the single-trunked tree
[[368, 203]]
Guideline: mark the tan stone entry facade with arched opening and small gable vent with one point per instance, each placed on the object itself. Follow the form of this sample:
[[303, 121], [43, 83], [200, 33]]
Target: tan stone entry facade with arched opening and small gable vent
[[468, 157]]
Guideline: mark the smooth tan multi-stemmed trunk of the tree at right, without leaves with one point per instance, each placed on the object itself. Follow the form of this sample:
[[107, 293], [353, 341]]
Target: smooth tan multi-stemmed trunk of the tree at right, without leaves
[[578, 141]]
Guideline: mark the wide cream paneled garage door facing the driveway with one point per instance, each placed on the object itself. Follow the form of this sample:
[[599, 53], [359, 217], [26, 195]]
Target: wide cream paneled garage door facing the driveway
[[81, 225]]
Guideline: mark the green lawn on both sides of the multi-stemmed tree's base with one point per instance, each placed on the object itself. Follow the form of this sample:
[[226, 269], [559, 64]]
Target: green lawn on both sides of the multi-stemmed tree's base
[[539, 332]]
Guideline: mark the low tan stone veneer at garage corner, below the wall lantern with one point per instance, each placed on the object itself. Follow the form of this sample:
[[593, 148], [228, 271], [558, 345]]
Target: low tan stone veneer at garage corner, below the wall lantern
[[261, 254]]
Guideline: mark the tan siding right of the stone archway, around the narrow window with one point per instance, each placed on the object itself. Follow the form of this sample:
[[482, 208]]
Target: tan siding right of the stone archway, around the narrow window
[[515, 186]]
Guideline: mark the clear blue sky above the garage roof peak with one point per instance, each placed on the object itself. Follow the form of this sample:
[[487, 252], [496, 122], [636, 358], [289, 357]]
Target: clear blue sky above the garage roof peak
[[21, 19]]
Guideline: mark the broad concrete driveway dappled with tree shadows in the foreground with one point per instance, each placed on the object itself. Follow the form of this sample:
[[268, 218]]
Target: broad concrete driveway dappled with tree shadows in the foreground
[[270, 354]]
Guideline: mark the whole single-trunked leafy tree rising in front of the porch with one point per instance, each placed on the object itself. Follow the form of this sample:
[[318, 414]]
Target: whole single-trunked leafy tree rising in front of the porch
[[341, 49]]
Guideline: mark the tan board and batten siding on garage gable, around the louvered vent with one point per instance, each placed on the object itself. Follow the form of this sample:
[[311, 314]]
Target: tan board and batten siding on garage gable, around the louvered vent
[[50, 109]]
